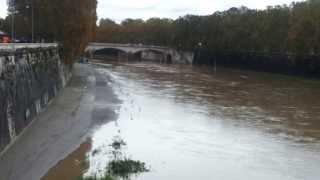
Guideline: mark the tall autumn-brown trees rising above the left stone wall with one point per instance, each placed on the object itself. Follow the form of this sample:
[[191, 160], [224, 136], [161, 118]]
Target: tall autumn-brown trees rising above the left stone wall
[[72, 23]]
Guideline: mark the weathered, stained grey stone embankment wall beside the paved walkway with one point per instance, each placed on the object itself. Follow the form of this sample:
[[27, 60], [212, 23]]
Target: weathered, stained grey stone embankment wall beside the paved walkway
[[29, 79]]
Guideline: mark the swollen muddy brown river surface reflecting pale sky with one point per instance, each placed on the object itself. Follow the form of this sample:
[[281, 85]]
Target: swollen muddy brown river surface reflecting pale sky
[[192, 123]]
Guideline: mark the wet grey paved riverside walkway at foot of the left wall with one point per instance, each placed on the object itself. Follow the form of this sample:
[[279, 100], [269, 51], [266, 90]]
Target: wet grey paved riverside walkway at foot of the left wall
[[62, 127]]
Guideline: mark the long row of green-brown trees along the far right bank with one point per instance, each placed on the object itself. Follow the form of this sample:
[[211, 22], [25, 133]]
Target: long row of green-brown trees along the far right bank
[[293, 28]]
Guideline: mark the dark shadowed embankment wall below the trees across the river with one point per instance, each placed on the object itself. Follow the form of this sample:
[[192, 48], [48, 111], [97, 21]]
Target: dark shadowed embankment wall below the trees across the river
[[307, 65]]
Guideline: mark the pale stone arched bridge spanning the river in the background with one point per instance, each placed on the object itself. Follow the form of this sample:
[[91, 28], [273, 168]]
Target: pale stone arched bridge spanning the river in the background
[[138, 52]]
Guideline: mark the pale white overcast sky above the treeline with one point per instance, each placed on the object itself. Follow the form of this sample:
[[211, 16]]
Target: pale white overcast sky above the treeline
[[121, 9]]
